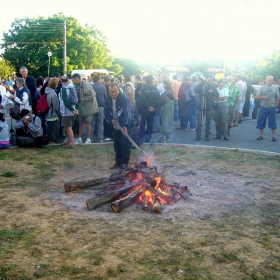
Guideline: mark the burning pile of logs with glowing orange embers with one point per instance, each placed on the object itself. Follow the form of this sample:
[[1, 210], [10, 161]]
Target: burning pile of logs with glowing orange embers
[[140, 183]]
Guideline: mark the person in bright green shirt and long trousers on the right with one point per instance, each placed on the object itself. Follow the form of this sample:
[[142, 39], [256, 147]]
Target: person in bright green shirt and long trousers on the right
[[232, 101]]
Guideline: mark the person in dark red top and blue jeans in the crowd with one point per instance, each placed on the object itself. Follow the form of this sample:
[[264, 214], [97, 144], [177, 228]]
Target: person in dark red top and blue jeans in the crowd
[[182, 104]]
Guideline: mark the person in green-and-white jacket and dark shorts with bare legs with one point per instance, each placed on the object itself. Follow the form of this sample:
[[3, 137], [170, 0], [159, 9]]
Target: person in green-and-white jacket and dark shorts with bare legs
[[67, 110]]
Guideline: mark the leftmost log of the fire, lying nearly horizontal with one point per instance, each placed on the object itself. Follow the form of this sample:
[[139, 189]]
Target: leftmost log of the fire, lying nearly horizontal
[[79, 185]]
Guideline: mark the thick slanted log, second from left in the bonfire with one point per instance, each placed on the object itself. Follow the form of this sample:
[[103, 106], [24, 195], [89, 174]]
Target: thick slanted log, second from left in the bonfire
[[98, 201]]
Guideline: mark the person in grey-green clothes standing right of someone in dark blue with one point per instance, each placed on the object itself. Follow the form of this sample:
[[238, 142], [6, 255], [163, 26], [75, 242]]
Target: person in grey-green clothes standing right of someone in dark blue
[[166, 117]]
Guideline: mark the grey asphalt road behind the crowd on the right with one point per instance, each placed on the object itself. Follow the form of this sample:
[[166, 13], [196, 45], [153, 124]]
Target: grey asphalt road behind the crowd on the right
[[244, 136]]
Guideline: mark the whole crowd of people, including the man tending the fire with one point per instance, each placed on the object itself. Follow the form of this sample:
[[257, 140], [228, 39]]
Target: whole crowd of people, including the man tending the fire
[[46, 109]]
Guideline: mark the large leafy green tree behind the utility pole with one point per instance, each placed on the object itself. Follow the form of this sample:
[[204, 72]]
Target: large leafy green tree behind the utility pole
[[29, 40]]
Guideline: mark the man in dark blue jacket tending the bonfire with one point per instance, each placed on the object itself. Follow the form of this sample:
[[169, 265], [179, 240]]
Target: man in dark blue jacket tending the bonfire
[[118, 110]]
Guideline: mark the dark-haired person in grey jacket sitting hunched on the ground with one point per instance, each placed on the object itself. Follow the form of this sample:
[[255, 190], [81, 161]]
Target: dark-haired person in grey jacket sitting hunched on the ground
[[29, 130]]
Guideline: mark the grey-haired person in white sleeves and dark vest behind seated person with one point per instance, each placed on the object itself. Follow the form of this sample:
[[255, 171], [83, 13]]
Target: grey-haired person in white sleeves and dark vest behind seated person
[[22, 97]]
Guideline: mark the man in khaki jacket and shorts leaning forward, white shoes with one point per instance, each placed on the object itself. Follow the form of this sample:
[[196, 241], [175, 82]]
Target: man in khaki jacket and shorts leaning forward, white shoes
[[87, 107]]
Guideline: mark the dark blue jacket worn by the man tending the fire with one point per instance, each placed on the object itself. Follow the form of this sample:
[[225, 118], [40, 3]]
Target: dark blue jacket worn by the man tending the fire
[[124, 110]]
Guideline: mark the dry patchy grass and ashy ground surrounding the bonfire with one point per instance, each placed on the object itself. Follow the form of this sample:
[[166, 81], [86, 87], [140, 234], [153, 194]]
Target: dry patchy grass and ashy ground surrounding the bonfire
[[225, 227]]
